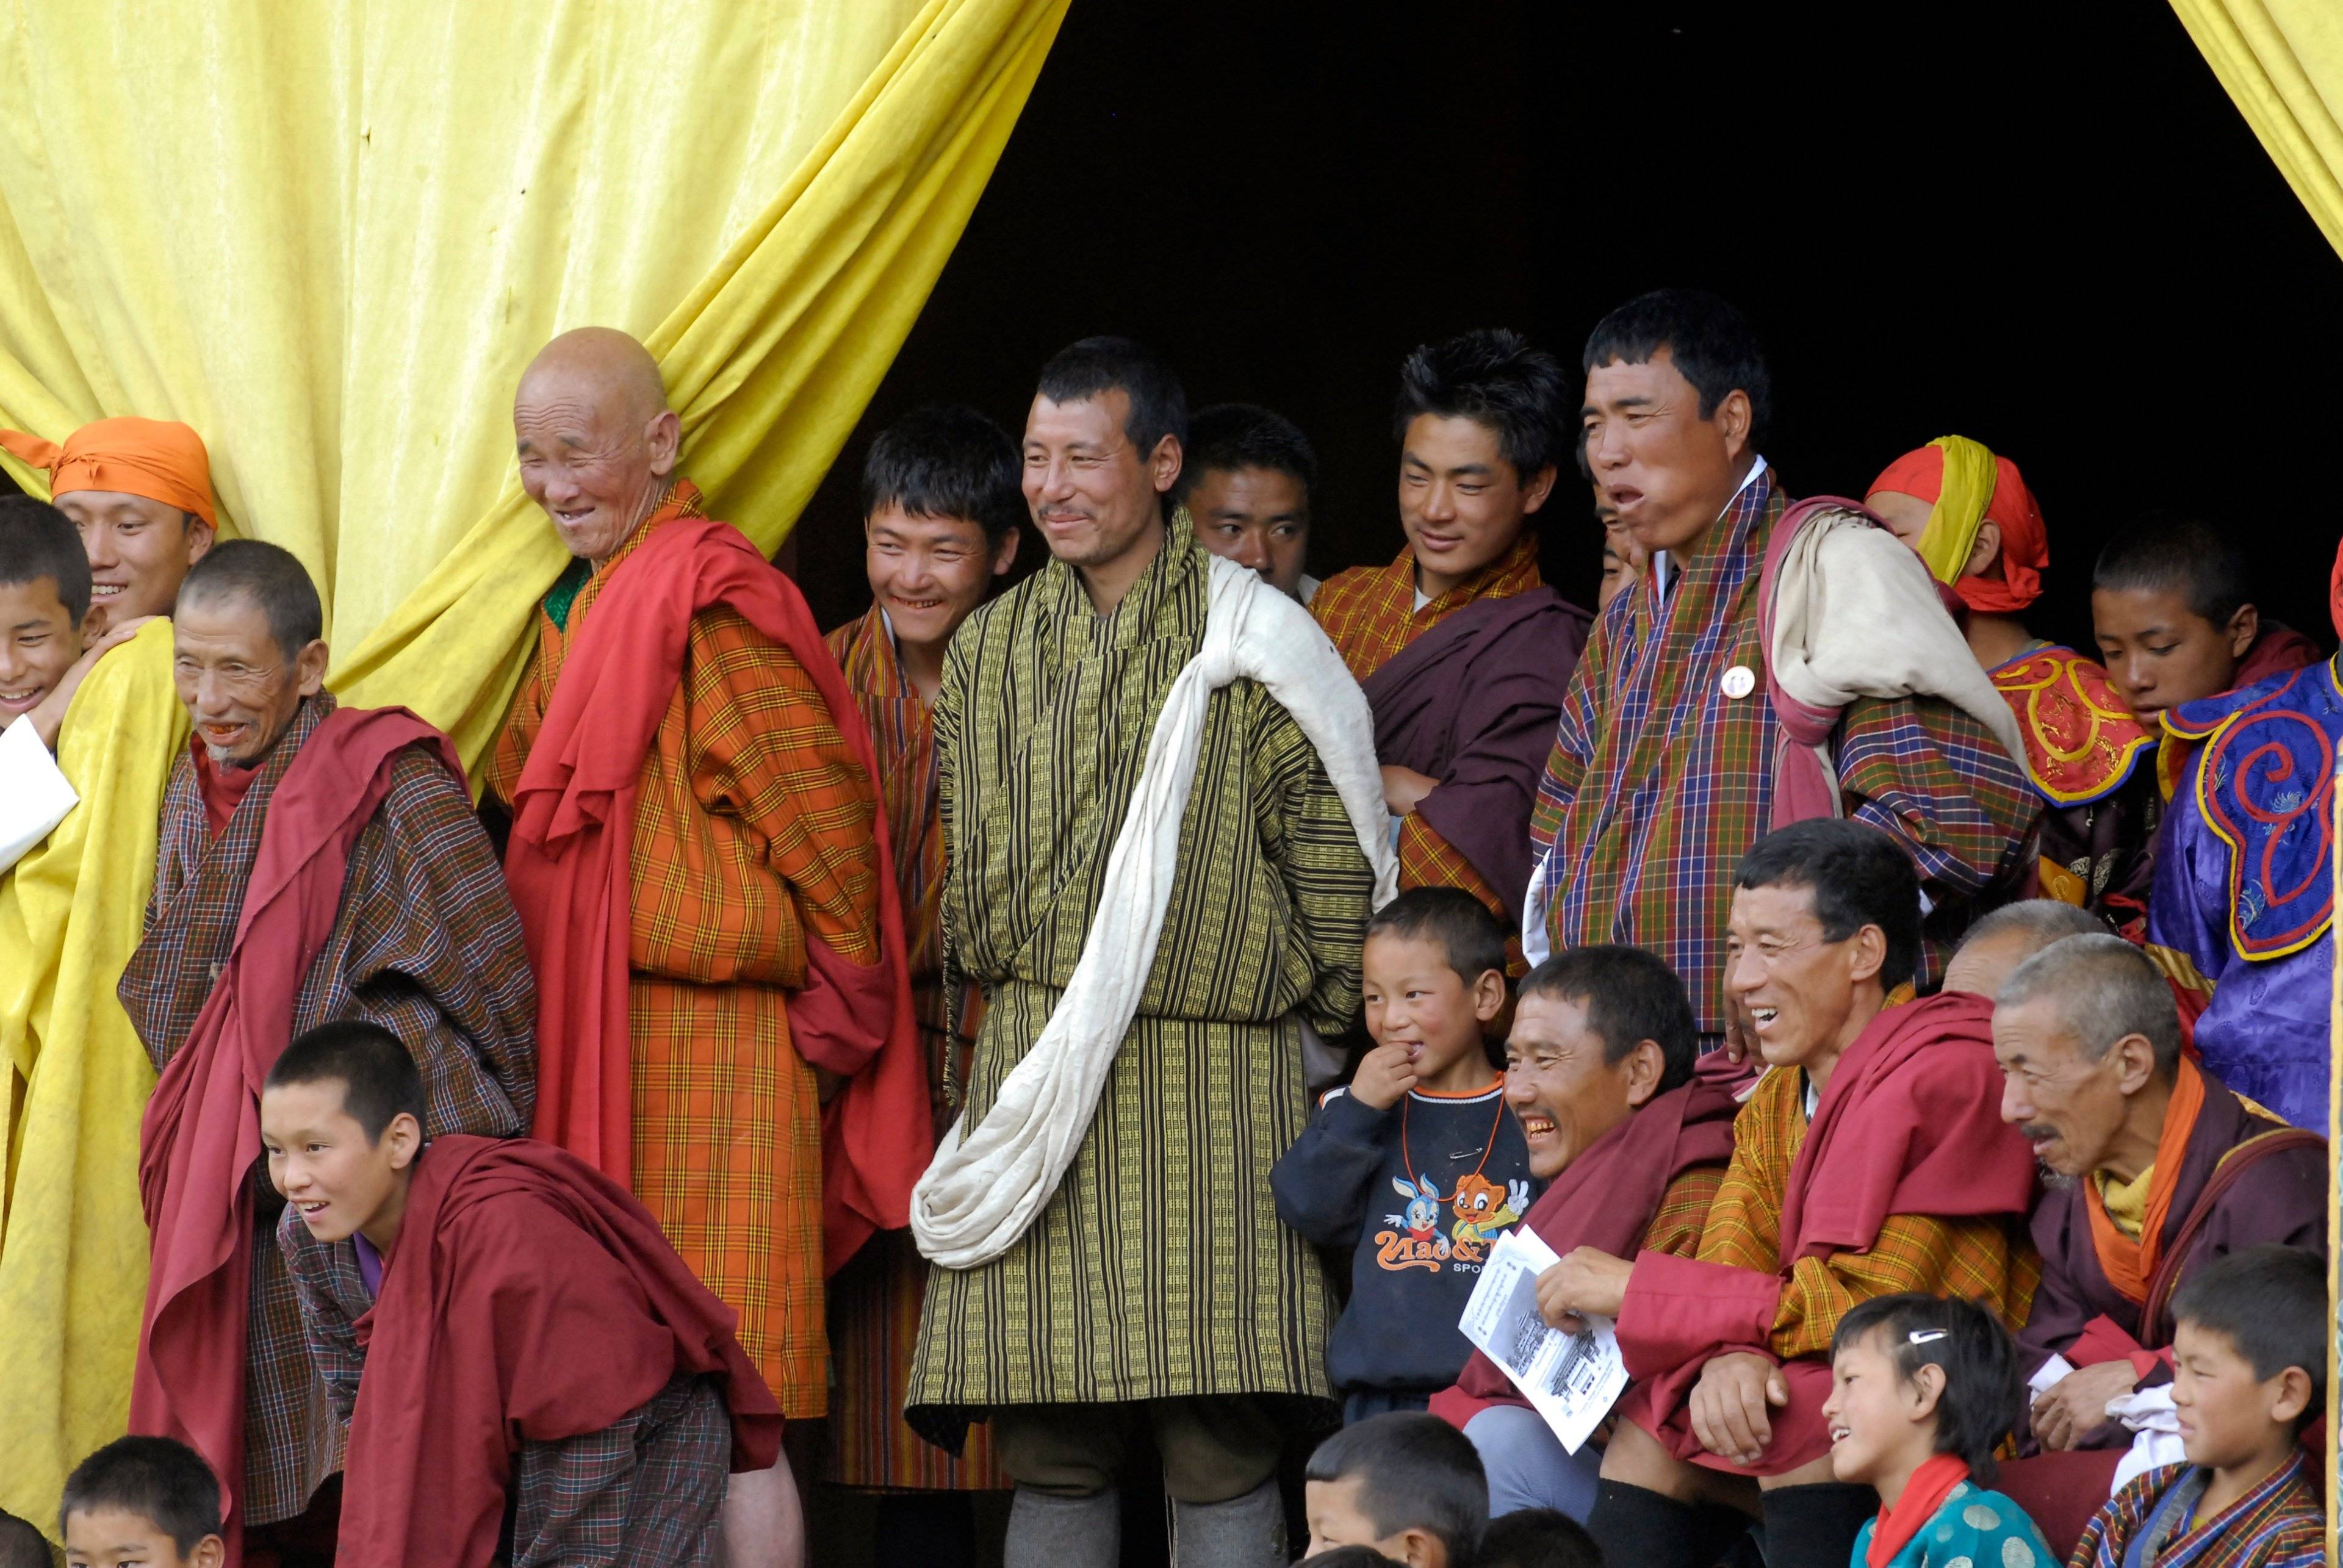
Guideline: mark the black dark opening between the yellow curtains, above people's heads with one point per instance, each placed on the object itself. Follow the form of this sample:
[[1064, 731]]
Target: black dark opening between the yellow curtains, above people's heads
[[2042, 226]]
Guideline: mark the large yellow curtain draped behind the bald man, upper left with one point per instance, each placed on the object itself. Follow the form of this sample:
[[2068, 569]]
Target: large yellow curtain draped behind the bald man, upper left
[[332, 236]]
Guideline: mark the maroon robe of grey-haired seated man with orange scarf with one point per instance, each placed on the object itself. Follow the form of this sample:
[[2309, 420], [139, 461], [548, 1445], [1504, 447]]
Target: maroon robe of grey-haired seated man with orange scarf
[[2276, 1199]]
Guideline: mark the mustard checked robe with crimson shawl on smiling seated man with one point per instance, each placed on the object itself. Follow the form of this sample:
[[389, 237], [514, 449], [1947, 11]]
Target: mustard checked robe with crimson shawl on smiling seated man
[[1908, 1180]]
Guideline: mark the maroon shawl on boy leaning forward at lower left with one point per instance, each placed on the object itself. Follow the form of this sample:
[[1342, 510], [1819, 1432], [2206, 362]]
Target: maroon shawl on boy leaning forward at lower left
[[491, 1332]]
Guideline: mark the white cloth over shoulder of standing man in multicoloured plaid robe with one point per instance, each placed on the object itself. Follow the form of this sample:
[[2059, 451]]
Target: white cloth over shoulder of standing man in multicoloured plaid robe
[[1857, 615]]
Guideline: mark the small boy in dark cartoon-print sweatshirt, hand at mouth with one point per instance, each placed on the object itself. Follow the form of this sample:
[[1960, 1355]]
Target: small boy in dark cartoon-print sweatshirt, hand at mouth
[[1416, 1164]]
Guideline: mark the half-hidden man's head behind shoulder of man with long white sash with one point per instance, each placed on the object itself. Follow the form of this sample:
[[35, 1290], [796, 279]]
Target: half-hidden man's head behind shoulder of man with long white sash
[[1245, 484]]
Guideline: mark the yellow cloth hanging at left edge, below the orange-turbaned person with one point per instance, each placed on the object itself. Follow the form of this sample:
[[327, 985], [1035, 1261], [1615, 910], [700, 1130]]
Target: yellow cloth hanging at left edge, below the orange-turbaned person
[[74, 1243]]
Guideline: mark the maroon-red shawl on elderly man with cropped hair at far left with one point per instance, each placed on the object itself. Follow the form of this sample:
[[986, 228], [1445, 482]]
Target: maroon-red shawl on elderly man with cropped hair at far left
[[203, 1129]]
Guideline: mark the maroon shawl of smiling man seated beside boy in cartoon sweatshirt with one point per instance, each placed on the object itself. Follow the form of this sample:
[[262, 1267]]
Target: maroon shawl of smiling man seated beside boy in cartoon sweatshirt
[[1606, 1199]]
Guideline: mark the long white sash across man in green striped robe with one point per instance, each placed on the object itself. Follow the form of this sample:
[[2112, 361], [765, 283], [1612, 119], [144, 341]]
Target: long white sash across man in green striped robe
[[988, 1185]]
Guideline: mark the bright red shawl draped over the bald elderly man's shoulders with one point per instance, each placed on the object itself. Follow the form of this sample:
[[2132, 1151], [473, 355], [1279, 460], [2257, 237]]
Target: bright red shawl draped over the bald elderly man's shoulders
[[568, 868]]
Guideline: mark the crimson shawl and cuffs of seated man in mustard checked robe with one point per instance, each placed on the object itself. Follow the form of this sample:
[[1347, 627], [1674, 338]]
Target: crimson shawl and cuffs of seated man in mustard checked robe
[[1911, 1124]]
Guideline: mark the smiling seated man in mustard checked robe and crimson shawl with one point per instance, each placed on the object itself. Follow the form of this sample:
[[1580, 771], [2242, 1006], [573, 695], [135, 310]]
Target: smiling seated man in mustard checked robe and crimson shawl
[[1869, 1161]]
